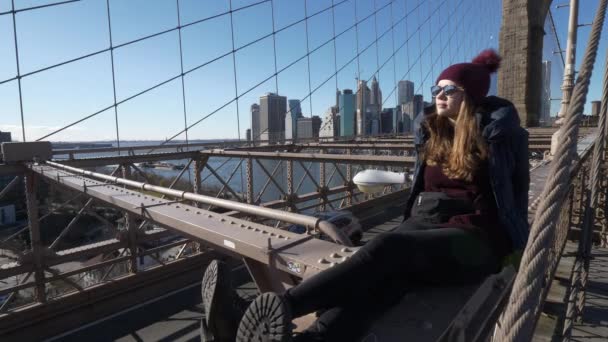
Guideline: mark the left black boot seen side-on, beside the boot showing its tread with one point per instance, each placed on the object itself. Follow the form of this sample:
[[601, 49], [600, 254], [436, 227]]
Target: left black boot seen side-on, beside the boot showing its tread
[[223, 307]]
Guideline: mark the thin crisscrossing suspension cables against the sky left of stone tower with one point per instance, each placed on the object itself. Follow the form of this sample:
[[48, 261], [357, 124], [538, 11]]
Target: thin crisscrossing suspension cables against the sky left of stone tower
[[429, 59]]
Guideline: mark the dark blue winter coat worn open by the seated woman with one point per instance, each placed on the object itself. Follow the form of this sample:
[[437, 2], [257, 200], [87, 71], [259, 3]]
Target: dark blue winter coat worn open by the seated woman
[[508, 165]]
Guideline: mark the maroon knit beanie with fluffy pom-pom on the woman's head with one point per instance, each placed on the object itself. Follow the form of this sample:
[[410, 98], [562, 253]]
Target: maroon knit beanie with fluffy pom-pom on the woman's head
[[474, 77]]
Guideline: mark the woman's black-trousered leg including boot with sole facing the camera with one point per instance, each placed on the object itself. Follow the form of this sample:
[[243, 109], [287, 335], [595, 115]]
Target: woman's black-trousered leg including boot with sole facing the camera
[[390, 264]]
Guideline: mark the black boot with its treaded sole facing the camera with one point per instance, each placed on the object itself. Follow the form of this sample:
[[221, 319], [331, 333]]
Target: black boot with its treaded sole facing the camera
[[267, 319]]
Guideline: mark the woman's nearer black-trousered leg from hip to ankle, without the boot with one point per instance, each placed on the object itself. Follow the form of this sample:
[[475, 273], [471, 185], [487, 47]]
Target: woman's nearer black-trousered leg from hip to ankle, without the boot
[[404, 259]]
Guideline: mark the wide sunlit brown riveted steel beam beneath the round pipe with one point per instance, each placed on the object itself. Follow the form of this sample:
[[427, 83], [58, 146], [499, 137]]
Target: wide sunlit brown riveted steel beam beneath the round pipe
[[292, 253]]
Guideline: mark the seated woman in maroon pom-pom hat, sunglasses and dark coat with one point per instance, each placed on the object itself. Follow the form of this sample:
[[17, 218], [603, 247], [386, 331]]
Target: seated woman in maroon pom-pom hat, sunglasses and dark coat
[[467, 210]]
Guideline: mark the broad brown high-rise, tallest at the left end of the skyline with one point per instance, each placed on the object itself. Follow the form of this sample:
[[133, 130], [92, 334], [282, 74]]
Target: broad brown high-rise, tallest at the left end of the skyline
[[273, 108]]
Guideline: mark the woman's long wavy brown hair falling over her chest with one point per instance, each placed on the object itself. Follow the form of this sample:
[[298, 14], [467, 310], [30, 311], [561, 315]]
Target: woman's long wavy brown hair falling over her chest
[[459, 149]]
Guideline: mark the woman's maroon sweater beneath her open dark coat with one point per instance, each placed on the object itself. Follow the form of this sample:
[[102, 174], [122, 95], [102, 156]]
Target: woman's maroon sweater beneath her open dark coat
[[479, 192]]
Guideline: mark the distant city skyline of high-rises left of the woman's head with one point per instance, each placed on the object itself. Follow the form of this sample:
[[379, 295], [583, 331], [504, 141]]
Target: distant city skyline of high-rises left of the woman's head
[[344, 113]]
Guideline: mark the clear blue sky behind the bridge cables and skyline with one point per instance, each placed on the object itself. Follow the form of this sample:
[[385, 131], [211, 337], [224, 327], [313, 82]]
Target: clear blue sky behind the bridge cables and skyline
[[427, 36]]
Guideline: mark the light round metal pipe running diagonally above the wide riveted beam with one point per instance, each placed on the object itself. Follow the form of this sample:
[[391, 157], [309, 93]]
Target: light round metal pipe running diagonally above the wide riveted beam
[[326, 227]]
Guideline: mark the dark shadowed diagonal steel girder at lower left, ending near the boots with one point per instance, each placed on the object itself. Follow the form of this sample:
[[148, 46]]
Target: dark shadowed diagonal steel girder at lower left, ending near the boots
[[76, 309]]
